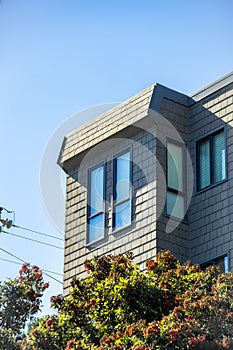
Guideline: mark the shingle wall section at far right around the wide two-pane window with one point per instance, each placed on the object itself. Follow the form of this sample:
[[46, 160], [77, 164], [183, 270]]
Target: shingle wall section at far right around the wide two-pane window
[[211, 211]]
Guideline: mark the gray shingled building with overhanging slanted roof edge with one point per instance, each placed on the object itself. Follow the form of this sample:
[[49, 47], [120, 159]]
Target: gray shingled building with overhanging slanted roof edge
[[153, 173]]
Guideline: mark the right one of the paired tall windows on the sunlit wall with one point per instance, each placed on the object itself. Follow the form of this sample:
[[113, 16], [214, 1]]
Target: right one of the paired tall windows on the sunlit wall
[[122, 191]]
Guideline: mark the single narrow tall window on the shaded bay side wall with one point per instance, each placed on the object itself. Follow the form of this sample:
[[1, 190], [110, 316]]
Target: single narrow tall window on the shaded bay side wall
[[175, 203]]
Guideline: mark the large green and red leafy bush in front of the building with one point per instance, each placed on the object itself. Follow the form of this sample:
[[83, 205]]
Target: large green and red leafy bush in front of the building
[[170, 306]]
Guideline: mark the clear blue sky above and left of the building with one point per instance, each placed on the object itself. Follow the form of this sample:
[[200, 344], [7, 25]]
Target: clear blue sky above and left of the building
[[61, 57]]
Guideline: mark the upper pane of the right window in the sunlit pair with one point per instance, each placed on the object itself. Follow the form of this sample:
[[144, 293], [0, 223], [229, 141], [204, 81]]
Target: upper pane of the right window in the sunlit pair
[[122, 185]]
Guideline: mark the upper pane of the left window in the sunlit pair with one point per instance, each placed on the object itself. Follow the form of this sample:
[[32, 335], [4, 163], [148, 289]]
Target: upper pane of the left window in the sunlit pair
[[97, 190]]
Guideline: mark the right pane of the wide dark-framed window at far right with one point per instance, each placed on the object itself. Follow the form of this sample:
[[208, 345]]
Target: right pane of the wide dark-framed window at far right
[[219, 157]]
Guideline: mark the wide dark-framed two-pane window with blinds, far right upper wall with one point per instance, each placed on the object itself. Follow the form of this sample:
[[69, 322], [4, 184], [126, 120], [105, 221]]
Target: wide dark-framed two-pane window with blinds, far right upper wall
[[211, 160]]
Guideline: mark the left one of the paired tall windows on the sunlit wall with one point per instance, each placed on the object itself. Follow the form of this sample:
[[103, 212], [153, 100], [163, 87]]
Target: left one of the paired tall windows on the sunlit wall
[[96, 217]]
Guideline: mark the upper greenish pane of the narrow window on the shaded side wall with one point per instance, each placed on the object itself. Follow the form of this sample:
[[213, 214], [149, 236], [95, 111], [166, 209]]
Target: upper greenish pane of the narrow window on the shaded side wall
[[175, 166]]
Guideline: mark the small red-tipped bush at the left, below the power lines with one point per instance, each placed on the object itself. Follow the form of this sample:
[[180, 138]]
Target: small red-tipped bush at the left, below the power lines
[[20, 300]]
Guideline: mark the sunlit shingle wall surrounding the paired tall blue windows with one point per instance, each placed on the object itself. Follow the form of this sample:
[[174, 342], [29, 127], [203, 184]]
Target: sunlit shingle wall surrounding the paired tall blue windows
[[140, 238]]
